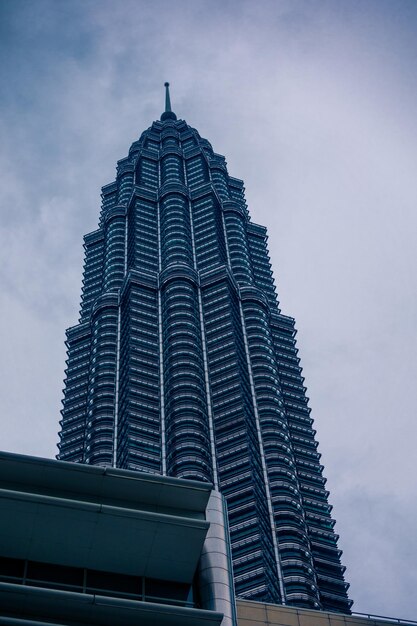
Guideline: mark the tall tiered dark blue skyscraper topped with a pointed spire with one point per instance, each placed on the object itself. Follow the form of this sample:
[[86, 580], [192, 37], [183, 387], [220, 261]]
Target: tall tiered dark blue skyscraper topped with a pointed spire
[[183, 364]]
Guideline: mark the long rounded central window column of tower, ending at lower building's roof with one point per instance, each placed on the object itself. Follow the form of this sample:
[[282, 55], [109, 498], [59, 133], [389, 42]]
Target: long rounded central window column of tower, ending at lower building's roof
[[187, 431]]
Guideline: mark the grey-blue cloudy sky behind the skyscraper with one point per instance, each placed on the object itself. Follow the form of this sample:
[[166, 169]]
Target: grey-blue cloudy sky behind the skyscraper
[[314, 105]]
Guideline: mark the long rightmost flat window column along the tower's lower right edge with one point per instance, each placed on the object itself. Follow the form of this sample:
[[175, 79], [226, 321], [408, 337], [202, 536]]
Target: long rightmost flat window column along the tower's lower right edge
[[323, 540]]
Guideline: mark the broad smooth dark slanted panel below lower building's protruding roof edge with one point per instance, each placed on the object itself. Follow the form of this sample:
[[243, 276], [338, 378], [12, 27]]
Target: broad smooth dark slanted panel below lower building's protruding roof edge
[[81, 534]]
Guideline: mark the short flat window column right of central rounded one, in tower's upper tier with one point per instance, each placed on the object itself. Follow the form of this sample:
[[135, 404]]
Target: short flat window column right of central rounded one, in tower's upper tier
[[208, 233]]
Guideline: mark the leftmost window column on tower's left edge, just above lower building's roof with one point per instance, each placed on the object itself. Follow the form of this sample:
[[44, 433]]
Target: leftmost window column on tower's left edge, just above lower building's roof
[[73, 423]]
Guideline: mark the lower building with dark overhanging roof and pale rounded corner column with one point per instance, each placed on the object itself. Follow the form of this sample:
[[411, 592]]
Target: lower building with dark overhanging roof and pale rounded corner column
[[88, 545]]
